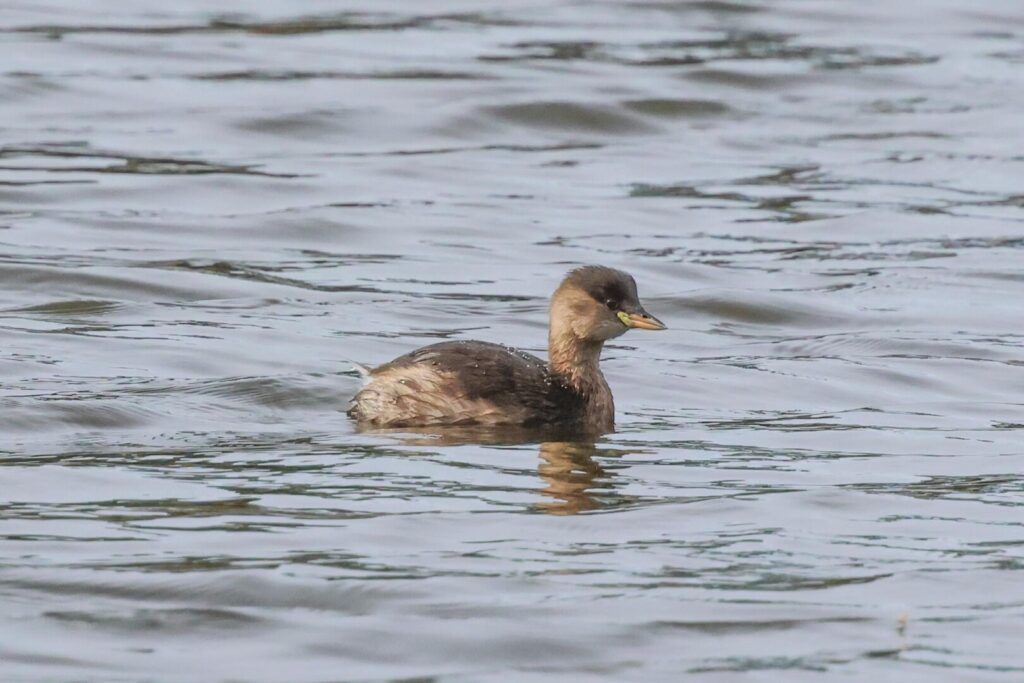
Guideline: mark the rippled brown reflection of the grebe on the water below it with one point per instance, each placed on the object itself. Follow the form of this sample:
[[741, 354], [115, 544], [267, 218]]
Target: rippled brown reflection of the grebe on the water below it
[[574, 481]]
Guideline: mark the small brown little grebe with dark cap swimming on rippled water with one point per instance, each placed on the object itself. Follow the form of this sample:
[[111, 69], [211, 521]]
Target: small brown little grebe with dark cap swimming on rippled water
[[481, 383]]
